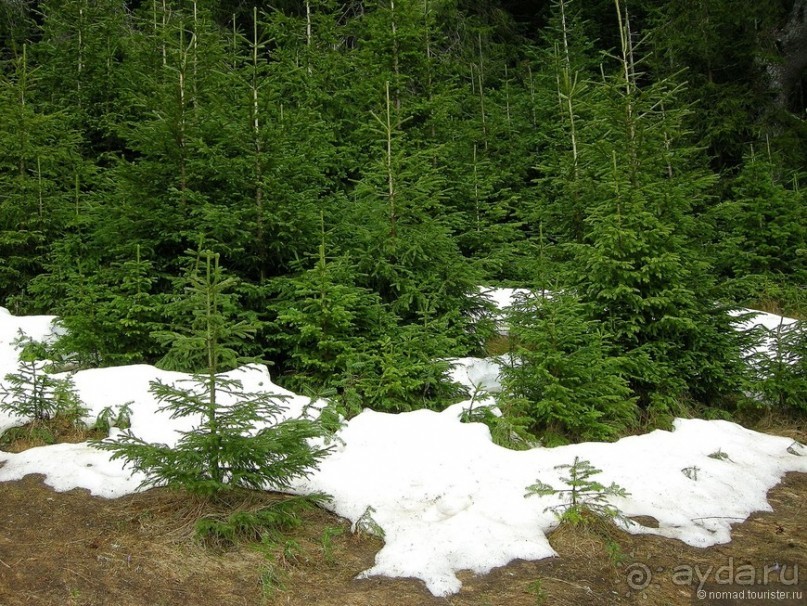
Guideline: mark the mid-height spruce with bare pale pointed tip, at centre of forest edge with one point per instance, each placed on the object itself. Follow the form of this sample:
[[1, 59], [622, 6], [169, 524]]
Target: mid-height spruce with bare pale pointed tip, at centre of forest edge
[[404, 241]]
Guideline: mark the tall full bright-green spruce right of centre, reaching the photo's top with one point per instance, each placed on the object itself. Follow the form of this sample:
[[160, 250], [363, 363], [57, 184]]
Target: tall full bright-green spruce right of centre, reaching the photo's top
[[637, 267]]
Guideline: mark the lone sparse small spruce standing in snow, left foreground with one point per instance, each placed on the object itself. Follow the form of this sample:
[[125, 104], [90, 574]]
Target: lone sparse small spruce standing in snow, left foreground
[[241, 440]]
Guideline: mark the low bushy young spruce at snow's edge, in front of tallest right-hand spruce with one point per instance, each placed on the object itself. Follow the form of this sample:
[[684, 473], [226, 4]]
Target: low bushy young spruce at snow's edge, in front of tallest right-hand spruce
[[563, 376]]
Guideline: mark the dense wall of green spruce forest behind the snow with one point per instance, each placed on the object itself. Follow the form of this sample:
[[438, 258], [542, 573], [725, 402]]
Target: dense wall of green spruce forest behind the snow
[[360, 168]]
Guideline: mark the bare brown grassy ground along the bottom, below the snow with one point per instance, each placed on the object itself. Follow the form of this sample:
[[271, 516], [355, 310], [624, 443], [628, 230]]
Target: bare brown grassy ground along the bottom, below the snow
[[74, 549]]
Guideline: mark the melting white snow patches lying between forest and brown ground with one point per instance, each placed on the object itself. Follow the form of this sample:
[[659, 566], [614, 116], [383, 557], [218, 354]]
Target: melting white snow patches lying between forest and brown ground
[[446, 497]]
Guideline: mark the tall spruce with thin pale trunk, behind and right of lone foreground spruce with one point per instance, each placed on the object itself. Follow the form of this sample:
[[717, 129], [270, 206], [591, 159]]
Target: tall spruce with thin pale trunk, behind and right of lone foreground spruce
[[275, 149]]
